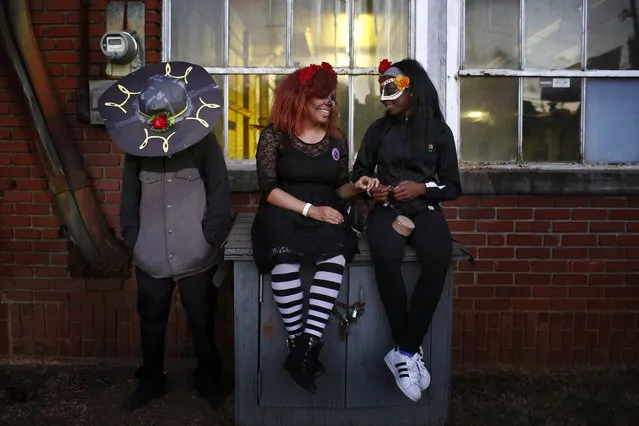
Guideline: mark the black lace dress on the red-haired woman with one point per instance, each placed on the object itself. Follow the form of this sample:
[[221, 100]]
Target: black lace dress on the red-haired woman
[[311, 173]]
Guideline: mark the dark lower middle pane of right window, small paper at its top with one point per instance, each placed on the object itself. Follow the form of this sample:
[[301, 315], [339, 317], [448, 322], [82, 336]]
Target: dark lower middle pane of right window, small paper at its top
[[552, 118]]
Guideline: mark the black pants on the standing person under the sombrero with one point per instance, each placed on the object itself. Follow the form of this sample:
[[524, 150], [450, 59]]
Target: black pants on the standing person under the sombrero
[[199, 296]]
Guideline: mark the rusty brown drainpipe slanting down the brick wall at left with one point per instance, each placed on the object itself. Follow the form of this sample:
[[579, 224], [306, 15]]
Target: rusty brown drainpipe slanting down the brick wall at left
[[103, 255]]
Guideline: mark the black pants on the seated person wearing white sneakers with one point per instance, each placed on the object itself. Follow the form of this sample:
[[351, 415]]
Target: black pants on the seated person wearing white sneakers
[[432, 241]]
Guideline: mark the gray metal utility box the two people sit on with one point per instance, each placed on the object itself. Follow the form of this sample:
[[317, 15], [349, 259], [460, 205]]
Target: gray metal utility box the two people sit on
[[357, 388]]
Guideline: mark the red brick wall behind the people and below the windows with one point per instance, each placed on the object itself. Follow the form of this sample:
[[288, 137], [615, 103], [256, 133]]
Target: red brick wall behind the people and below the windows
[[556, 280]]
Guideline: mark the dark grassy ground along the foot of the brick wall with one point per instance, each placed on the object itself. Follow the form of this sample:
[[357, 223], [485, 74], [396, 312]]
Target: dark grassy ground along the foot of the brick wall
[[55, 395]]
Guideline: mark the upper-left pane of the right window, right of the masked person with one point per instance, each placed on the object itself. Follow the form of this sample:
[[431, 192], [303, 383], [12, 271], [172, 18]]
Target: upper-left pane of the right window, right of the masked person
[[492, 34]]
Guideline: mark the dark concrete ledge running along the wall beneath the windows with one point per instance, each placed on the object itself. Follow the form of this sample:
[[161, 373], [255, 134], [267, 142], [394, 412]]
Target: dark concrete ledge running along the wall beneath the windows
[[509, 180]]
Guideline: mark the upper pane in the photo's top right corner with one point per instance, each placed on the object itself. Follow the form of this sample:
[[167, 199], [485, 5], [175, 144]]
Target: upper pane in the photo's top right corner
[[611, 35]]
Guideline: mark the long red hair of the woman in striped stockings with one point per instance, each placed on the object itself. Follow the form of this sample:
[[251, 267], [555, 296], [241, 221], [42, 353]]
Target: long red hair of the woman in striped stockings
[[292, 95]]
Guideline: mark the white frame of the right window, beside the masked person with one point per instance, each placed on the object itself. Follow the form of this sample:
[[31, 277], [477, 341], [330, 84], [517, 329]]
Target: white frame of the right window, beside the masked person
[[455, 70]]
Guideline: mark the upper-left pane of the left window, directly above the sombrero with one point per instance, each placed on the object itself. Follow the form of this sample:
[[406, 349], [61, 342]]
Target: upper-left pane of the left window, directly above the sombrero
[[197, 32]]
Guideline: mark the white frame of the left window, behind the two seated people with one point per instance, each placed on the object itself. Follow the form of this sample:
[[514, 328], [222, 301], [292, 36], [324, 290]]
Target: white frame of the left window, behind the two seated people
[[417, 30]]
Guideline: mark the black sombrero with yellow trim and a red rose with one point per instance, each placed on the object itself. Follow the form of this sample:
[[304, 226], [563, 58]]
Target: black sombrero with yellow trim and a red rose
[[161, 109]]
